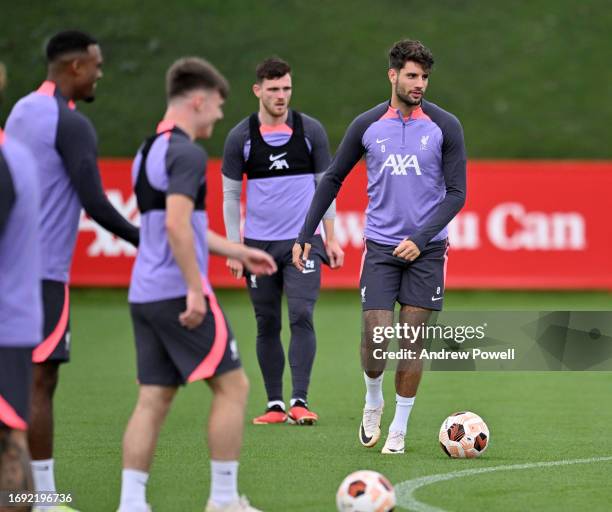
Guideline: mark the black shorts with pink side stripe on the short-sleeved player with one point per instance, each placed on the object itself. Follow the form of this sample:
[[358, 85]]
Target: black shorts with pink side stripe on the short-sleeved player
[[169, 354]]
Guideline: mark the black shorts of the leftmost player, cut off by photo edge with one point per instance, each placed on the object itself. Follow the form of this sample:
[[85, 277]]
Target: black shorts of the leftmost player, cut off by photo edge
[[15, 382]]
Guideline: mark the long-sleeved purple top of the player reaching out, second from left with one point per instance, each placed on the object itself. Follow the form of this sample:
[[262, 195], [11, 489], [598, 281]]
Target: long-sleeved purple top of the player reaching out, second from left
[[64, 144]]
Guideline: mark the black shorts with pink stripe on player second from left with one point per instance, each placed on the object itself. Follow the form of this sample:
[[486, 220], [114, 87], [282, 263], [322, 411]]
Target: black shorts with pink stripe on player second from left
[[56, 333]]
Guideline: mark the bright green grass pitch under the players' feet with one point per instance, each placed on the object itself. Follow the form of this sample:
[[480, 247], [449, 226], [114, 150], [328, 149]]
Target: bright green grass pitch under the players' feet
[[532, 417]]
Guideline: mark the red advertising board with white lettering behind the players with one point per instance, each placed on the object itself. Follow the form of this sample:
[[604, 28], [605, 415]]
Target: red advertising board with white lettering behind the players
[[526, 224]]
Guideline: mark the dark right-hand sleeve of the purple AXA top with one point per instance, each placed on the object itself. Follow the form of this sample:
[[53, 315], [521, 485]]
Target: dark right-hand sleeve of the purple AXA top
[[454, 161]]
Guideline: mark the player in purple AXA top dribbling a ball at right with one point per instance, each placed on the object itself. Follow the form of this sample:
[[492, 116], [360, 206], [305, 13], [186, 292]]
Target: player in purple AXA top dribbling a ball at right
[[416, 166]]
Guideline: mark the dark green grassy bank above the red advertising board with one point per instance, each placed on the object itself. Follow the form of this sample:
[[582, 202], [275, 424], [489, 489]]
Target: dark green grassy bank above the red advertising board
[[525, 78]]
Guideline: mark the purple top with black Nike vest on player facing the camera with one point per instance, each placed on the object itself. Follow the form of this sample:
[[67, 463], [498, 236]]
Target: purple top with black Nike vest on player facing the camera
[[282, 164]]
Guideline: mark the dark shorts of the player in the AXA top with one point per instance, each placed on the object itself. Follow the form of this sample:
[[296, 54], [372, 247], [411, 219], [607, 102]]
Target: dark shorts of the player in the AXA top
[[387, 279]]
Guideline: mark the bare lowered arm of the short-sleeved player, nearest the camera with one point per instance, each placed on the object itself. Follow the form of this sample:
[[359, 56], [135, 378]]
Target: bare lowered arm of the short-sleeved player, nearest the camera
[[180, 236]]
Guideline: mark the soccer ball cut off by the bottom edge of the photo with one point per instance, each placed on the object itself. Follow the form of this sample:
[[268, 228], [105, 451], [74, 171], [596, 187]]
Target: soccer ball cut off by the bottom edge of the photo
[[365, 491]]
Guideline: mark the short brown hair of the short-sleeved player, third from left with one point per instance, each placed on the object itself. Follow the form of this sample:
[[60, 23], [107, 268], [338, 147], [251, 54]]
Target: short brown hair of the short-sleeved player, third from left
[[190, 73]]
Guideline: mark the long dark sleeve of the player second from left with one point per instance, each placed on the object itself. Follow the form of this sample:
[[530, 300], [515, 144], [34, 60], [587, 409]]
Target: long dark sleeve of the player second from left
[[76, 143]]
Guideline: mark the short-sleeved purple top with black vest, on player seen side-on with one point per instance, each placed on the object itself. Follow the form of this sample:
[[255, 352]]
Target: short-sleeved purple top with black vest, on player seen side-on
[[167, 163]]
